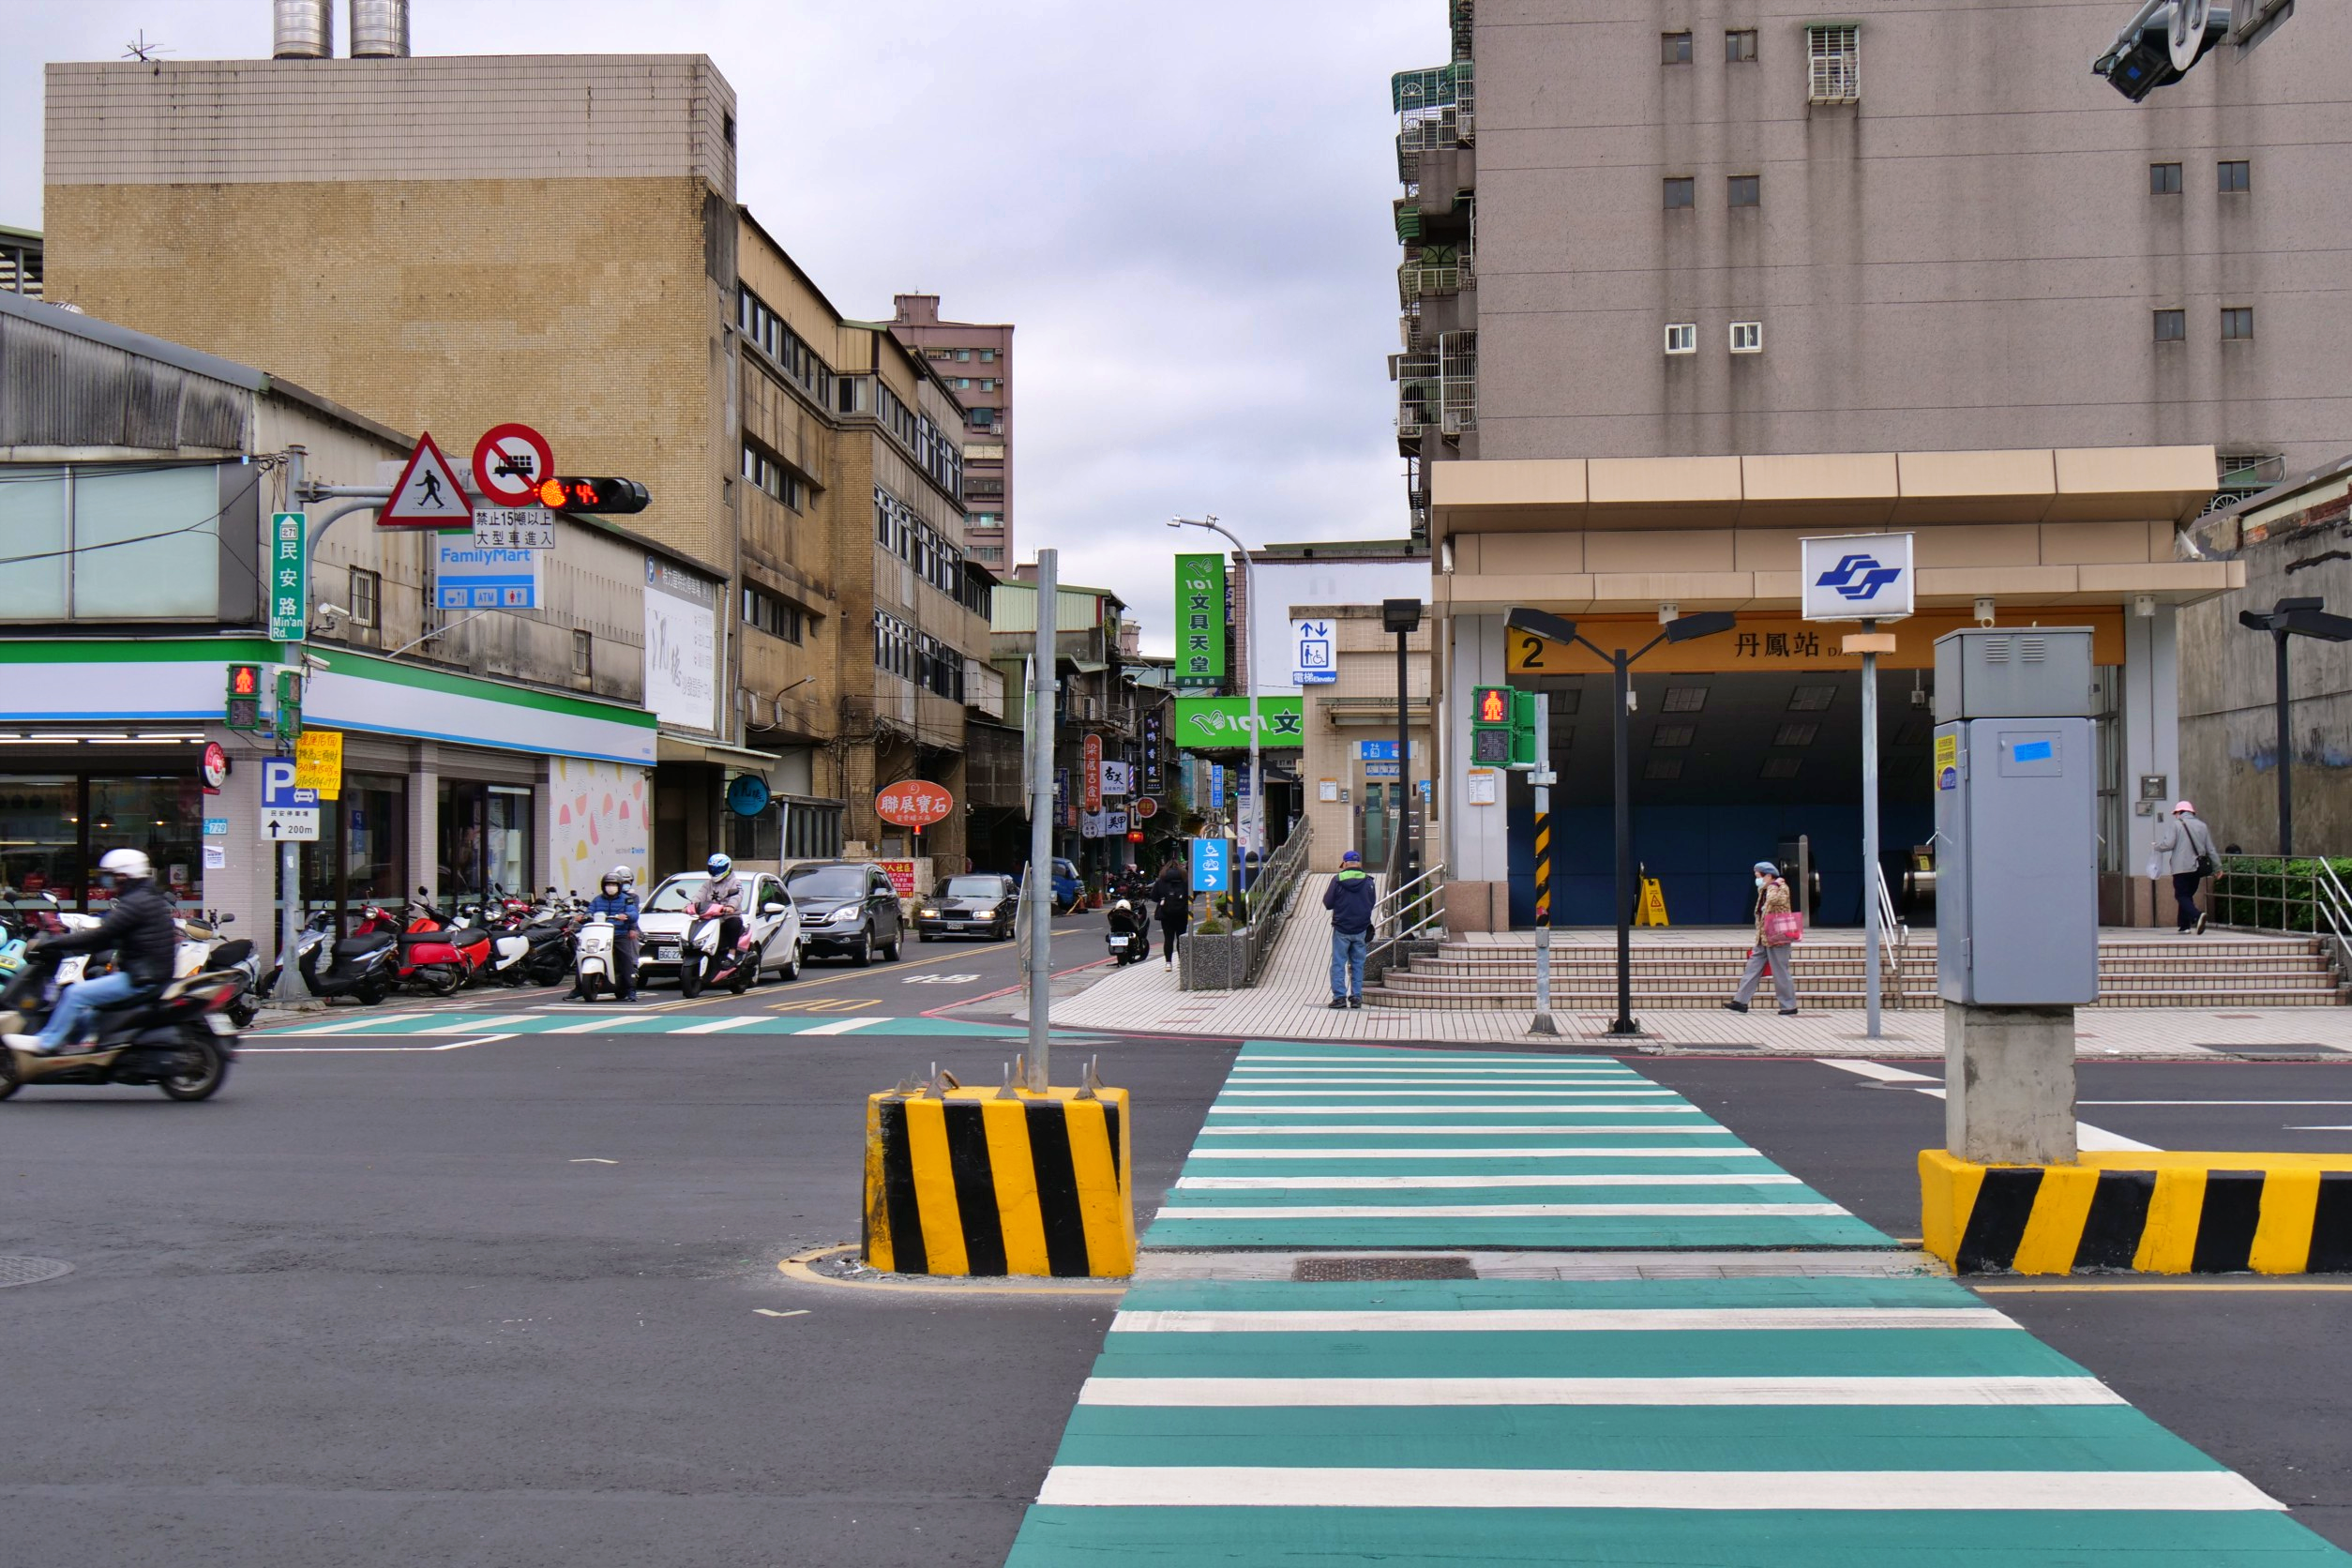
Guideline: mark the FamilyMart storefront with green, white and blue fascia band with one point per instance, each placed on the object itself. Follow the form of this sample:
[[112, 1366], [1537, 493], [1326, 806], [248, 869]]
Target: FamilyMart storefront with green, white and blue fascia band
[[450, 784]]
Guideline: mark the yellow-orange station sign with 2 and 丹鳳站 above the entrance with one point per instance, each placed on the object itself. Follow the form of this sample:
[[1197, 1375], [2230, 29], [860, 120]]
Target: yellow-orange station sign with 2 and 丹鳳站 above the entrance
[[1789, 643]]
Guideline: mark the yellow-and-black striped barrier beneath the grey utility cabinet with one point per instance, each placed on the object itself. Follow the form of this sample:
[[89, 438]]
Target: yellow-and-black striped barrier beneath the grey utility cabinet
[[2141, 1212]]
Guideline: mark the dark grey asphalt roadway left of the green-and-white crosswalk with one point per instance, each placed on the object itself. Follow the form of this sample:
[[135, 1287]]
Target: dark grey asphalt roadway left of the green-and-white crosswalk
[[507, 1304]]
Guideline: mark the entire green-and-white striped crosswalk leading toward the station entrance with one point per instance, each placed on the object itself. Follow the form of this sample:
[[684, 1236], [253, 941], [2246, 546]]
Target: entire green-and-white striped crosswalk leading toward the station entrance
[[1763, 1421]]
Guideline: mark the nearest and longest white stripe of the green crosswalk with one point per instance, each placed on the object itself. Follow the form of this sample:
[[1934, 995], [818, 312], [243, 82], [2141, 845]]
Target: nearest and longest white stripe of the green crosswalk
[[1650, 1489]]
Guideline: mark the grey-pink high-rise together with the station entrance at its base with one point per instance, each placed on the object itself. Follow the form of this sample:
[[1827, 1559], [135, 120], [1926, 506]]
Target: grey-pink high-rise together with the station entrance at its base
[[1692, 281]]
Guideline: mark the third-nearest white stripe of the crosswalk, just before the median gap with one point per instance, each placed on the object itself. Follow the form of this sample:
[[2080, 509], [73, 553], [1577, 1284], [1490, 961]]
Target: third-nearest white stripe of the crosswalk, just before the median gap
[[1561, 1320]]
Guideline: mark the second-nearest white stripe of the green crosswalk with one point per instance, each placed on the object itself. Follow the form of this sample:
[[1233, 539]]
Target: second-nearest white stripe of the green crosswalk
[[1398, 1393]]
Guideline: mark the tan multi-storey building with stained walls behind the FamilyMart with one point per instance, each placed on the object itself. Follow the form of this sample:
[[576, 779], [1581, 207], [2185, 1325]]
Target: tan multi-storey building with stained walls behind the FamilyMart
[[462, 241]]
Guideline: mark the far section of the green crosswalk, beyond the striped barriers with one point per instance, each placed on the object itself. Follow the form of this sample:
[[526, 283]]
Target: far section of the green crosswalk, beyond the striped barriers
[[1330, 1148]]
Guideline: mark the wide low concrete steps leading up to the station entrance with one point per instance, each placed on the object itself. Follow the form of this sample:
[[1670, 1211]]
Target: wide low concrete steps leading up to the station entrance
[[2217, 970]]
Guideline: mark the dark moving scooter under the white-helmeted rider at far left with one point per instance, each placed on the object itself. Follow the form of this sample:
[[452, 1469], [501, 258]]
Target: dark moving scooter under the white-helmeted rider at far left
[[180, 1040]]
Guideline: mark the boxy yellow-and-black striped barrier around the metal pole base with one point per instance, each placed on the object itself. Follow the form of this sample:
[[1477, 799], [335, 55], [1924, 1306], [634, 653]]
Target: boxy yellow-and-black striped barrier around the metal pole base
[[998, 1181]]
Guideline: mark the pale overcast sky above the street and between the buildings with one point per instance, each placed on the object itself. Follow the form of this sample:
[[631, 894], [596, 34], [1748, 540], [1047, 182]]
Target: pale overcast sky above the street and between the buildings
[[1184, 210]]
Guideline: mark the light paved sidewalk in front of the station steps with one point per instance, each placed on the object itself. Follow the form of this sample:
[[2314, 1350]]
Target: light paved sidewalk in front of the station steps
[[1295, 993]]
